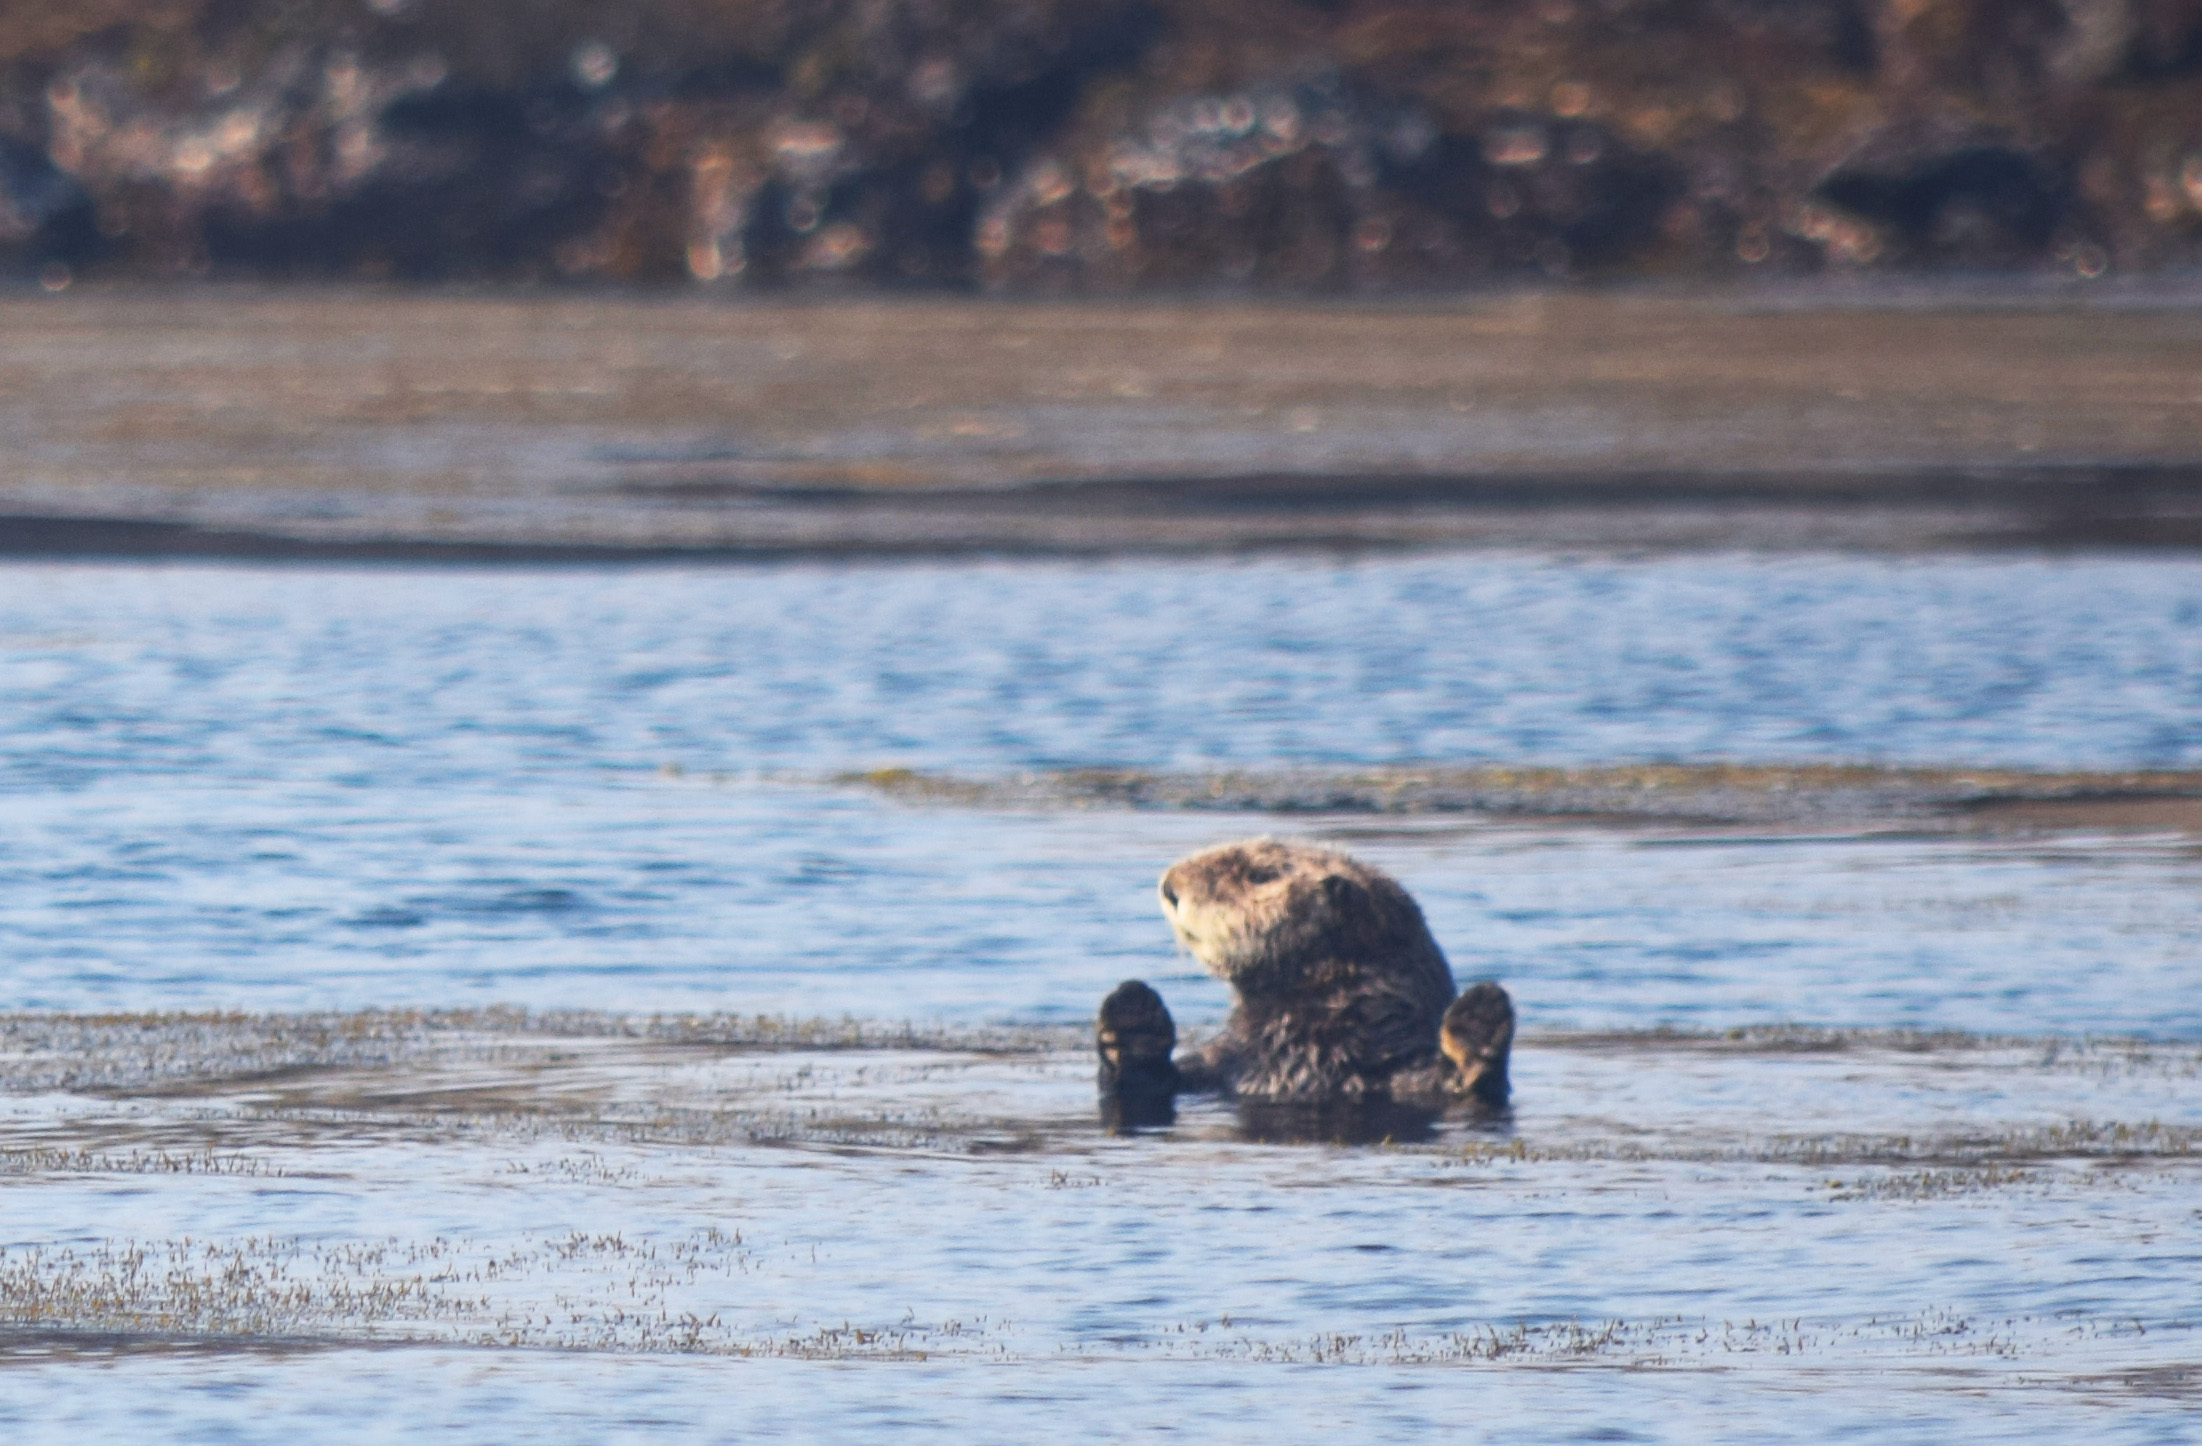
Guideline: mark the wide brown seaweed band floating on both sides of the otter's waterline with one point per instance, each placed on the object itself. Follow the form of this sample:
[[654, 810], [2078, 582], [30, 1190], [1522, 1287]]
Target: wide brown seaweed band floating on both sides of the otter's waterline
[[503, 1082]]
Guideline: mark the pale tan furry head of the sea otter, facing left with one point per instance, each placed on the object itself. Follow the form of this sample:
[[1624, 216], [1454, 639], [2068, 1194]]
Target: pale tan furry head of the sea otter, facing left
[[1263, 912]]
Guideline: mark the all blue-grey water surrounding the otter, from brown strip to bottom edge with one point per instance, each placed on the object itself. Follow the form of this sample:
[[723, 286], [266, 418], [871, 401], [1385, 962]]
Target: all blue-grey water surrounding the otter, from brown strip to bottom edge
[[263, 789]]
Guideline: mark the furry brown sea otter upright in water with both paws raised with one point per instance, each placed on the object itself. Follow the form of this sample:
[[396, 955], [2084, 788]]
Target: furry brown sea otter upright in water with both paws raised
[[1342, 994]]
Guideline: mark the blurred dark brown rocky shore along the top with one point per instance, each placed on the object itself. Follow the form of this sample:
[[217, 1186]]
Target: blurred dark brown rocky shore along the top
[[1095, 146]]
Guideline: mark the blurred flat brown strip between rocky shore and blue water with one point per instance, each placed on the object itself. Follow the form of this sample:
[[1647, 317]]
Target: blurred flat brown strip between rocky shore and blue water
[[585, 426]]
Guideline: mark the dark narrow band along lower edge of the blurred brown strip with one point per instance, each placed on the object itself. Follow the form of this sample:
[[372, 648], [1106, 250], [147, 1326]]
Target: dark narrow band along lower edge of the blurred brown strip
[[2067, 510]]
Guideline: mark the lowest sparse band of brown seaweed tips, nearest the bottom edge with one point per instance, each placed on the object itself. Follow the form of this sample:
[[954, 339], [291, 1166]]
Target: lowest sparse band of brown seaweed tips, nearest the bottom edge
[[615, 1293]]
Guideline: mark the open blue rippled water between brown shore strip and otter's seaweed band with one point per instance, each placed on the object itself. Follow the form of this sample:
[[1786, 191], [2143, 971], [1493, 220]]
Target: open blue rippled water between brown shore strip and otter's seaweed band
[[290, 789]]
